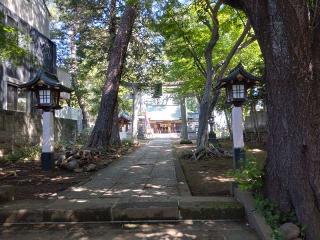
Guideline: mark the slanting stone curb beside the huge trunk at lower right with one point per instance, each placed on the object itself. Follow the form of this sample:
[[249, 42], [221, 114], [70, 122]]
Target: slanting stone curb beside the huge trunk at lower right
[[255, 219]]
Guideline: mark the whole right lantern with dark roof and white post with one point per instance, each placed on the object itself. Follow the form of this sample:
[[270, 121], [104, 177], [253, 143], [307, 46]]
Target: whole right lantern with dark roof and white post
[[236, 84]]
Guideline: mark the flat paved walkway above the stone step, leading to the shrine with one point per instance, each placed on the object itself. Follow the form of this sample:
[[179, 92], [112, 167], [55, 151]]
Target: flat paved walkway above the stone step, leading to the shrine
[[149, 172]]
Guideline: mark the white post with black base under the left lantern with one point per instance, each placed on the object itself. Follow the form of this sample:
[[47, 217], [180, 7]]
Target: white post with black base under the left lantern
[[47, 158]]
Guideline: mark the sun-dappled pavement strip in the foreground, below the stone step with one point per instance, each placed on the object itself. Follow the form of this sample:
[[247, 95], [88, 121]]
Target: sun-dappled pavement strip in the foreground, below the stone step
[[162, 231]]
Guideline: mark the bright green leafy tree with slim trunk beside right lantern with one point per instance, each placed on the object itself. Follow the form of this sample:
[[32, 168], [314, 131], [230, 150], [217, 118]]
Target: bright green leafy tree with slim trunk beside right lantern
[[208, 42]]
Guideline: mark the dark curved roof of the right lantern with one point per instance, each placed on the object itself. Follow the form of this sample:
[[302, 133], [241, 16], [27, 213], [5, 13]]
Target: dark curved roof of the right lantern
[[238, 74]]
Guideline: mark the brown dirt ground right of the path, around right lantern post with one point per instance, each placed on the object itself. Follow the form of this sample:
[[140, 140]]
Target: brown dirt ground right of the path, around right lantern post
[[209, 177]]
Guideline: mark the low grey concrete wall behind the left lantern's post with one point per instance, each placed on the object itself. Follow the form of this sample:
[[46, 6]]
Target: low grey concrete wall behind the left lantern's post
[[19, 129]]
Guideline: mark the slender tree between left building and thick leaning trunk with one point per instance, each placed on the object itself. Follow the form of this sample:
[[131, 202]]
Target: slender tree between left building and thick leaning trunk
[[73, 20]]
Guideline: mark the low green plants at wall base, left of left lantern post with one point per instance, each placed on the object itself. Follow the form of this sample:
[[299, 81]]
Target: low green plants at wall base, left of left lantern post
[[25, 153]]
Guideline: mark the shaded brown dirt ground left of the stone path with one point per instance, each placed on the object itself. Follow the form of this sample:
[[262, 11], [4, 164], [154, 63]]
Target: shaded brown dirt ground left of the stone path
[[32, 183]]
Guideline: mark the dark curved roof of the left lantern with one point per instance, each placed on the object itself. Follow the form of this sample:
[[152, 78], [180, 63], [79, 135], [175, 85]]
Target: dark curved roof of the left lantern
[[45, 78]]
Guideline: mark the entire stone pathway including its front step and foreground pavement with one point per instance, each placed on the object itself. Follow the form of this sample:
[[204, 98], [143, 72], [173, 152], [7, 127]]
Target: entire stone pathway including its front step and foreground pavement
[[145, 185]]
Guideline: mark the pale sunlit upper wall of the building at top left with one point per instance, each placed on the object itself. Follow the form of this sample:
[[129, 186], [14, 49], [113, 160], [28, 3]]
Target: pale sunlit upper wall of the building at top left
[[34, 12]]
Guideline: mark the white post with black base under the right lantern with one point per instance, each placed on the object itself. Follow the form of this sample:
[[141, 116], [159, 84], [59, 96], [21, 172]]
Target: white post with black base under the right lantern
[[237, 135]]
